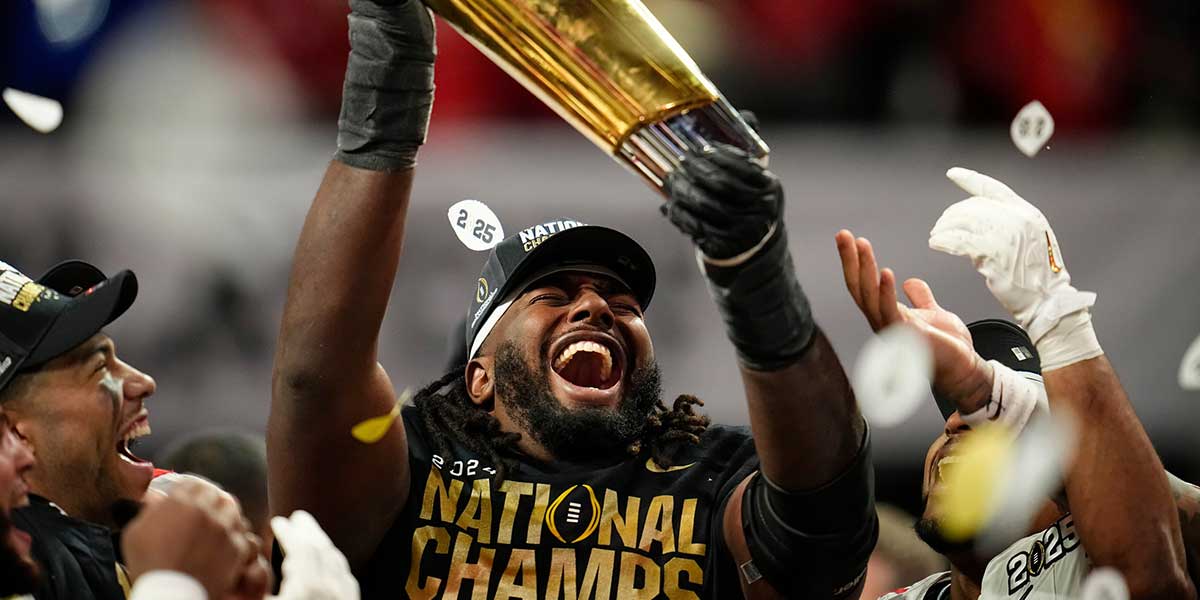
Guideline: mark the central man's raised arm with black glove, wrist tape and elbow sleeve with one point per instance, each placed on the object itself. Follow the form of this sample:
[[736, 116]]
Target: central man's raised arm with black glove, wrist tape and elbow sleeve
[[813, 502]]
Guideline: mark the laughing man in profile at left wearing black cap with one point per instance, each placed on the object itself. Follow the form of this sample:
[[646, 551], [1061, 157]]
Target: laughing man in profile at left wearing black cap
[[67, 395]]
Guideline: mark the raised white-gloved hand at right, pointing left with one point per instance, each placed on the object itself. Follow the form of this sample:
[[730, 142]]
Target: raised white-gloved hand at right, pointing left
[[1013, 247]]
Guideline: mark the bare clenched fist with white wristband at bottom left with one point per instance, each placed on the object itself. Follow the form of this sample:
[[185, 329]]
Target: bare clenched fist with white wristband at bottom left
[[197, 531]]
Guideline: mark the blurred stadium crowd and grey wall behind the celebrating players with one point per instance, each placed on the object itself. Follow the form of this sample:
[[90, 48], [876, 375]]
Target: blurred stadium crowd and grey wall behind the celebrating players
[[196, 134]]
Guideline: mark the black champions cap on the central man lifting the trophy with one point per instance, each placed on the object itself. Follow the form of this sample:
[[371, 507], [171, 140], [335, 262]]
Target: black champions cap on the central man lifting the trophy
[[563, 244]]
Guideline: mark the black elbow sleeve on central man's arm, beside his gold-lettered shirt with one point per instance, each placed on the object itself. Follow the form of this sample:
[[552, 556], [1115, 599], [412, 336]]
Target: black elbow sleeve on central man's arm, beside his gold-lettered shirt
[[813, 545]]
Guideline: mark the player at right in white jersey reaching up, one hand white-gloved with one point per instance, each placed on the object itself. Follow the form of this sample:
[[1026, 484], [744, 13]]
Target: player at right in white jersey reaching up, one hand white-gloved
[[1118, 508]]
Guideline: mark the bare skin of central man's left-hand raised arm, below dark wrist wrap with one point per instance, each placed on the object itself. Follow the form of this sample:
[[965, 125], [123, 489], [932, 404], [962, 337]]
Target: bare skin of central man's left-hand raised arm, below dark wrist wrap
[[326, 377]]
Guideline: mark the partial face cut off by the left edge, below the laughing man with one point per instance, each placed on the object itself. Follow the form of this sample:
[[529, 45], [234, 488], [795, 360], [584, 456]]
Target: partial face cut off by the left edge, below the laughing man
[[19, 573]]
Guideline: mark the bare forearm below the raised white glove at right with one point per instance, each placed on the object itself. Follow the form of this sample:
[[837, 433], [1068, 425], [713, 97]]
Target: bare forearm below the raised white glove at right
[[1119, 493]]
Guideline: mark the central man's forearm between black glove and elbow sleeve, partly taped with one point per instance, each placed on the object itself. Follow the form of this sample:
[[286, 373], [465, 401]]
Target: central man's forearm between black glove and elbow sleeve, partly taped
[[806, 423]]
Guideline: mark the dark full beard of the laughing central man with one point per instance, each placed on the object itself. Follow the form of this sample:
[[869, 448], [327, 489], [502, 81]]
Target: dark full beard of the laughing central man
[[580, 434]]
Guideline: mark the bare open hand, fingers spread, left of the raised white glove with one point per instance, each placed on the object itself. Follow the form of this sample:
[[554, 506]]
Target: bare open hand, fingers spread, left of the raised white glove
[[956, 363]]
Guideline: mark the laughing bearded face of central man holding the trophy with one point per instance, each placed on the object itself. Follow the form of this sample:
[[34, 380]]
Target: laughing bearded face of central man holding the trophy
[[571, 359]]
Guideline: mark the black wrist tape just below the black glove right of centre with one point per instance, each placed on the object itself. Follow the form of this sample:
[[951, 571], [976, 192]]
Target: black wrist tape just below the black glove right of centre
[[766, 314]]
